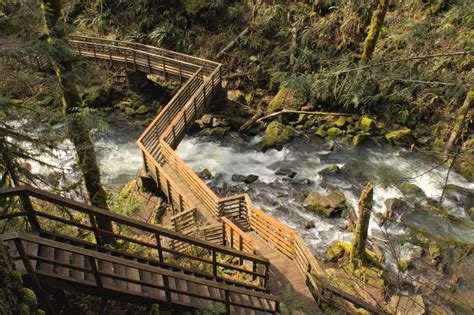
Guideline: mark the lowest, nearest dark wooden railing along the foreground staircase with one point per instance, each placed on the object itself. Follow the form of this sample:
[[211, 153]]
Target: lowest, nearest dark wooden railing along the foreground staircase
[[159, 279]]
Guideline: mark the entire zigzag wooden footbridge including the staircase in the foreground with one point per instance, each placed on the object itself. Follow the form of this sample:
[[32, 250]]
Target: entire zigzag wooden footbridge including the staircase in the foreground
[[221, 250]]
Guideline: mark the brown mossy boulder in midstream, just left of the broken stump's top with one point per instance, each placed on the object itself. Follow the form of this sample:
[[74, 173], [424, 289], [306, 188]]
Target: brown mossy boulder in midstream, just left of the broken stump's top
[[330, 205]]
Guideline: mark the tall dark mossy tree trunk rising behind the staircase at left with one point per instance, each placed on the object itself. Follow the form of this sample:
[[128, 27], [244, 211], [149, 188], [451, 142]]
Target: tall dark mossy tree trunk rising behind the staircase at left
[[71, 102]]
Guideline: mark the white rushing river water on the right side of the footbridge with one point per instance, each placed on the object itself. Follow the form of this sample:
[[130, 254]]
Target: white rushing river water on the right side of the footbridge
[[283, 197]]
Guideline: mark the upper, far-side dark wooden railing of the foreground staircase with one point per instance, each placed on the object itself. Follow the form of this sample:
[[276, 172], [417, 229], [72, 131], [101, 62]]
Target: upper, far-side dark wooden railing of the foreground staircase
[[80, 220]]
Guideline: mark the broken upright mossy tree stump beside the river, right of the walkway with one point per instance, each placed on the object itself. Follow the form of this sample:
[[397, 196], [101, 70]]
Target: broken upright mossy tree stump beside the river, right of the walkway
[[357, 255]]
